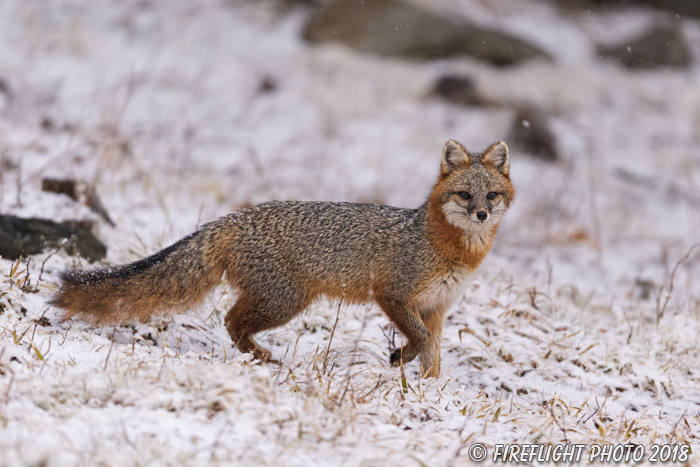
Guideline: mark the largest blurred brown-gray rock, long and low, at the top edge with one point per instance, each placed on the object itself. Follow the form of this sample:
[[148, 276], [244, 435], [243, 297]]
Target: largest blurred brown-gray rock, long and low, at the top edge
[[396, 28]]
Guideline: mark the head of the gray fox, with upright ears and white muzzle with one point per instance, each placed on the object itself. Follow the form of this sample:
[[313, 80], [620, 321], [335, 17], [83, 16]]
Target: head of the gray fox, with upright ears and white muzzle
[[474, 190]]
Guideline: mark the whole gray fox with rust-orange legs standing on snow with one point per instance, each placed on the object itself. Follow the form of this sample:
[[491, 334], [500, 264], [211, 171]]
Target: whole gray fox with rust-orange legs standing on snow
[[281, 256]]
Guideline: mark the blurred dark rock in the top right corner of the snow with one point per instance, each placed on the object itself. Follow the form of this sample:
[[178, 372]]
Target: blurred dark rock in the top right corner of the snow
[[661, 46]]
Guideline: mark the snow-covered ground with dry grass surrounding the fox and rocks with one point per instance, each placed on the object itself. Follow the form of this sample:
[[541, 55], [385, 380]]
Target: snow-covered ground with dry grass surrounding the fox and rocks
[[559, 337]]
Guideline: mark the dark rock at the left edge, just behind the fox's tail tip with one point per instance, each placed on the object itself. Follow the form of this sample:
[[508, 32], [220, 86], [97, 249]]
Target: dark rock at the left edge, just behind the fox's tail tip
[[24, 237]]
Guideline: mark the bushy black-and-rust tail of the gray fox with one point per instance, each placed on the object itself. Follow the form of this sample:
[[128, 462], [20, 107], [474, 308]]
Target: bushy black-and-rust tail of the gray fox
[[174, 279]]
